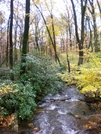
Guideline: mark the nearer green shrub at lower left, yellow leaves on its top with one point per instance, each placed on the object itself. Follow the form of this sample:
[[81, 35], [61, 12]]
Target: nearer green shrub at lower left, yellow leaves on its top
[[17, 98]]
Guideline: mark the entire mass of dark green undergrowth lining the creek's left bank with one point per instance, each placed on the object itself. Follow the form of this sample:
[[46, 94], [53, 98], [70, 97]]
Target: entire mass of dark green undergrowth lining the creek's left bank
[[22, 94]]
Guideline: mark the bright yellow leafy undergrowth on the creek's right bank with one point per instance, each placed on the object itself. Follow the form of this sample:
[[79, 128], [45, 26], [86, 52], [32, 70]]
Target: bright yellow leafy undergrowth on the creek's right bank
[[86, 77]]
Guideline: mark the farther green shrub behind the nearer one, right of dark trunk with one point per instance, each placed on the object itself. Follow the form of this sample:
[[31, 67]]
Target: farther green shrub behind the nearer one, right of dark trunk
[[41, 73]]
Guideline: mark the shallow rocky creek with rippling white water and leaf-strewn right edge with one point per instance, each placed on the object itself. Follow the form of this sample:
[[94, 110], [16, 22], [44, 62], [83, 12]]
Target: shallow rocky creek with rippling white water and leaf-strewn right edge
[[65, 113]]
